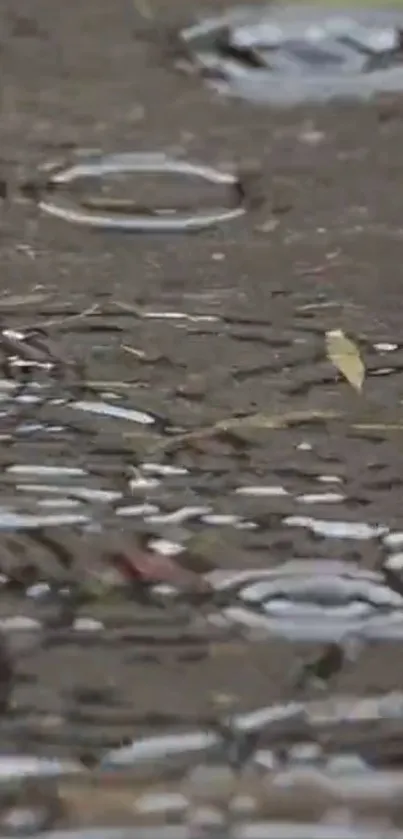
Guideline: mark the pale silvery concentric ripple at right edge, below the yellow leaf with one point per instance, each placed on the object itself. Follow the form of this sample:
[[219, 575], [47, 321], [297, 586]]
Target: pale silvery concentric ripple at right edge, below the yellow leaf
[[312, 601]]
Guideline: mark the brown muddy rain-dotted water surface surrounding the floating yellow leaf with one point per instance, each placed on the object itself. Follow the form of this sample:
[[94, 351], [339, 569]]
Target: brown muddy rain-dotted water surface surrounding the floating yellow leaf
[[201, 523]]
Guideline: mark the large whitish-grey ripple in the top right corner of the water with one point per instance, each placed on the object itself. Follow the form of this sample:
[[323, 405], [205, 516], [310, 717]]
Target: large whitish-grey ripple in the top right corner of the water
[[289, 55]]
